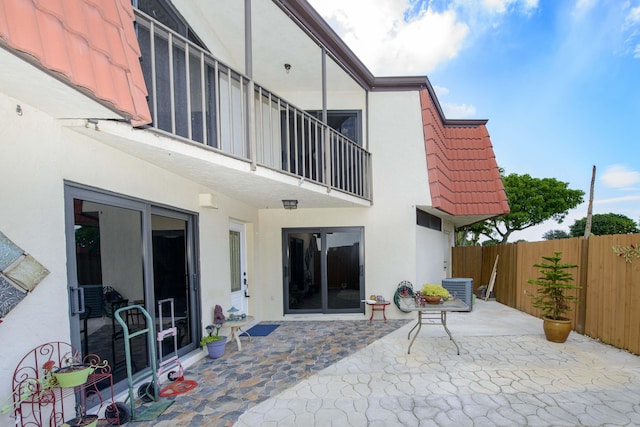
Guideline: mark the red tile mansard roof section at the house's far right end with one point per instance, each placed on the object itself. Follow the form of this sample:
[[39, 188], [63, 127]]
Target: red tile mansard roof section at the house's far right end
[[463, 174]]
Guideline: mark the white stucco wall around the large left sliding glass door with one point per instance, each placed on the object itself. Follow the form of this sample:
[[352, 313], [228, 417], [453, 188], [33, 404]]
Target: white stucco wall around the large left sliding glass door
[[38, 155]]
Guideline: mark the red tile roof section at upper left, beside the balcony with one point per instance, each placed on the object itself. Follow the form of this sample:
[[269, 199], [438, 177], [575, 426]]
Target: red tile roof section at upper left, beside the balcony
[[91, 43]]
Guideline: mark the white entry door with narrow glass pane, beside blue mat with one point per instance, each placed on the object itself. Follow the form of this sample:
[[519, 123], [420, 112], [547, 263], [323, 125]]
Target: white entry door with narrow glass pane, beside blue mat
[[239, 284]]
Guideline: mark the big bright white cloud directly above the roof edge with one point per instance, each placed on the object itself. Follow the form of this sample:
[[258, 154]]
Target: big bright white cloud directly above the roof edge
[[405, 37]]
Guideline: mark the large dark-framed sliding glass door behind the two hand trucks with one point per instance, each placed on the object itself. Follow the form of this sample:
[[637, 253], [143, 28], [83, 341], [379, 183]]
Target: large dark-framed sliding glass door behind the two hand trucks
[[121, 253]]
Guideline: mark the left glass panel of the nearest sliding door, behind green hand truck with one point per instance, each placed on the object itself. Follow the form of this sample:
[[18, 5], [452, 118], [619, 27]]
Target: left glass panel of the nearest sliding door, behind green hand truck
[[109, 265]]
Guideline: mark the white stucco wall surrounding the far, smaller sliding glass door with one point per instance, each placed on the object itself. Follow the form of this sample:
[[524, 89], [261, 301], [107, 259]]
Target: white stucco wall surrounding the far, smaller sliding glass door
[[392, 242]]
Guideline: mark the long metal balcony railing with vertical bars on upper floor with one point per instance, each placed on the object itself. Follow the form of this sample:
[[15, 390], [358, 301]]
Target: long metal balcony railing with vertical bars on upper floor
[[195, 96]]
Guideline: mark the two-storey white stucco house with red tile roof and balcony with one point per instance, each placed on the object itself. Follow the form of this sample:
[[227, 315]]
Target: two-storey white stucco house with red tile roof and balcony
[[204, 152]]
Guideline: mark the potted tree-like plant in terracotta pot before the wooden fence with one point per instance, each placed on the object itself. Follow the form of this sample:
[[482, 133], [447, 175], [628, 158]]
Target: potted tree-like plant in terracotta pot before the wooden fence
[[552, 297]]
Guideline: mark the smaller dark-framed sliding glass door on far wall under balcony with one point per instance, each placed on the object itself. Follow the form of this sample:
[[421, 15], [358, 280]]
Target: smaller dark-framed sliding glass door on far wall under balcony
[[323, 270]]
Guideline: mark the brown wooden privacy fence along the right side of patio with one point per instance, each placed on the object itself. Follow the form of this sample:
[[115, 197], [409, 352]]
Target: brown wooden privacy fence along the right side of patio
[[609, 308]]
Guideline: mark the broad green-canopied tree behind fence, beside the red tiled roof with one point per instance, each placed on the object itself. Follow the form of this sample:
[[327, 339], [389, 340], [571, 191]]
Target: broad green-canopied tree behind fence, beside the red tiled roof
[[532, 201]]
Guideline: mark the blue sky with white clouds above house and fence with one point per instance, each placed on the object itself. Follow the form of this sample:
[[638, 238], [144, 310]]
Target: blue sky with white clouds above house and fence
[[558, 80]]
